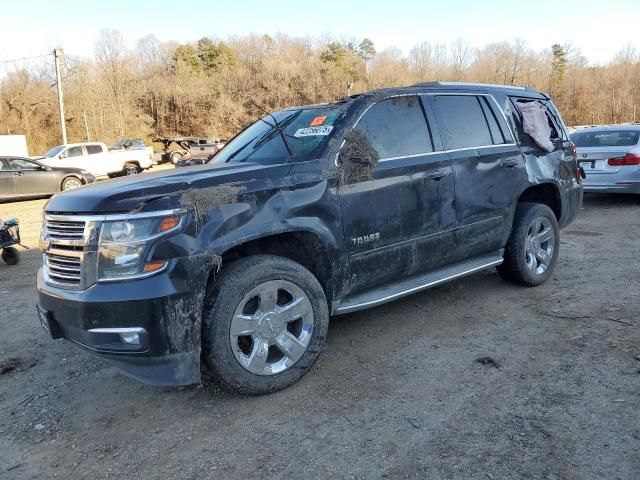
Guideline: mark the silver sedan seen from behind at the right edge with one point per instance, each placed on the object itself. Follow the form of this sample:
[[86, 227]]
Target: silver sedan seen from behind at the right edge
[[610, 157]]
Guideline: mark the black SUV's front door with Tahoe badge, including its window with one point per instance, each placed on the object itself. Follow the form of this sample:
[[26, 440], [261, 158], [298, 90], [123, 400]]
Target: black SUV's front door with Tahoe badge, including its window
[[397, 218]]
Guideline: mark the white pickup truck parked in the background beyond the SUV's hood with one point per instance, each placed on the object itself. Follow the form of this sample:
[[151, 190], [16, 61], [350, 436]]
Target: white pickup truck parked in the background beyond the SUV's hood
[[97, 159]]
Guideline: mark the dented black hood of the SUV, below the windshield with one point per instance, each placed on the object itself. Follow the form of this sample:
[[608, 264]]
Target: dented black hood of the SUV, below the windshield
[[160, 190]]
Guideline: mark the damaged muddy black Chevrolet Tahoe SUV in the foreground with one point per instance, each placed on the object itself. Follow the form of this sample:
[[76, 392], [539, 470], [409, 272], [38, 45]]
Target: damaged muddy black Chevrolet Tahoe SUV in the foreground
[[234, 267]]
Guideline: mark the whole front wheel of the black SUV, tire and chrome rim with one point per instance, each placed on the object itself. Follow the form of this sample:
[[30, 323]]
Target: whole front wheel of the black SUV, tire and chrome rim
[[247, 354]]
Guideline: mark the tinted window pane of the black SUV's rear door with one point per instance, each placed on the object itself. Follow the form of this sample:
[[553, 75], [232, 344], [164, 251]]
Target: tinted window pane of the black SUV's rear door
[[461, 121]]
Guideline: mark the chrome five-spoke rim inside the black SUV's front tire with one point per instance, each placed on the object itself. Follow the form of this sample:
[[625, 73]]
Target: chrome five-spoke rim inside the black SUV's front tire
[[271, 328]]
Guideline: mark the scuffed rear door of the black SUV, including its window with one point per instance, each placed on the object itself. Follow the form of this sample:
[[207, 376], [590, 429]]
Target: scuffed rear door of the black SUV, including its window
[[488, 168]]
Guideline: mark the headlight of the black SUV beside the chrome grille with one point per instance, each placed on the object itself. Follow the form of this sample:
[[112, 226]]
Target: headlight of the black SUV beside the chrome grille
[[122, 247]]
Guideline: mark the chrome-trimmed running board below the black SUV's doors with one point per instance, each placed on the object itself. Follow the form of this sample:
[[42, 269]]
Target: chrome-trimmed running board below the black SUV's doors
[[388, 293]]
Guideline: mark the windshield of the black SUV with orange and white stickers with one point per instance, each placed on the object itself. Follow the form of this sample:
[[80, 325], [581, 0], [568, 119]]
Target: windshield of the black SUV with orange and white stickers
[[306, 130]]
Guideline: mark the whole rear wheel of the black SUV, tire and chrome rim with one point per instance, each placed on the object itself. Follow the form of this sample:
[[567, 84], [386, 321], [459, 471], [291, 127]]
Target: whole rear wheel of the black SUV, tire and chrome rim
[[533, 246]]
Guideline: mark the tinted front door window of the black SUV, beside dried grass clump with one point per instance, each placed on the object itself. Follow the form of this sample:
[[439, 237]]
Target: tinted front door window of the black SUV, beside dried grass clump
[[396, 127]]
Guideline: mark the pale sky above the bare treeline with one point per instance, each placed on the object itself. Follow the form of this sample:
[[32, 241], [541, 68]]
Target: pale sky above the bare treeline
[[599, 29]]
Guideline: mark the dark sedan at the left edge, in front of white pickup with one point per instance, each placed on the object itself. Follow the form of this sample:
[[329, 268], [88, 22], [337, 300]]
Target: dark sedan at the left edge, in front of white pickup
[[22, 178]]
